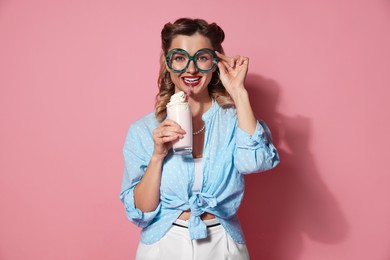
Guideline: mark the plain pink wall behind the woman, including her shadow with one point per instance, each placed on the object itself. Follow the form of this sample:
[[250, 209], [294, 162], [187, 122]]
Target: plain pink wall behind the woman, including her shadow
[[75, 74]]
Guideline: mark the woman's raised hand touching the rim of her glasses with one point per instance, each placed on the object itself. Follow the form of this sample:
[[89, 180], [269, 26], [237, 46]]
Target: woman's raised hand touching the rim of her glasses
[[233, 72]]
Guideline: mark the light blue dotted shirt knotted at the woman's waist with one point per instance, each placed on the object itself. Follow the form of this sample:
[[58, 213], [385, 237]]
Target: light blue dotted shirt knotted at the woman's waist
[[228, 153]]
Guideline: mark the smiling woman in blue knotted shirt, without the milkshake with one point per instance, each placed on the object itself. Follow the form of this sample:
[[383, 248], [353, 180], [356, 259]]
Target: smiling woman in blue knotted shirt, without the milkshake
[[191, 201]]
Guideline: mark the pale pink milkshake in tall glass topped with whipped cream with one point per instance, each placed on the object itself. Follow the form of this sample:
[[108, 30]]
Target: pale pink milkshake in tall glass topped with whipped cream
[[179, 111]]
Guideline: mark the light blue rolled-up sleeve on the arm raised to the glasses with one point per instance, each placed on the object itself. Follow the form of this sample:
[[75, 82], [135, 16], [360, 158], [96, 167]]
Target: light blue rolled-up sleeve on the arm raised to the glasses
[[255, 153]]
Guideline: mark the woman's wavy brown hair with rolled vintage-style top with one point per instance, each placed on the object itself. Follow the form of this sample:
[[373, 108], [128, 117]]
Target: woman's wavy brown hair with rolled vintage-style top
[[186, 26]]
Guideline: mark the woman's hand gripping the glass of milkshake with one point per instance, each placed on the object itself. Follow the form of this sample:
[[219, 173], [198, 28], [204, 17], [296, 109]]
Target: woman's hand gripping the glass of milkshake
[[164, 136]]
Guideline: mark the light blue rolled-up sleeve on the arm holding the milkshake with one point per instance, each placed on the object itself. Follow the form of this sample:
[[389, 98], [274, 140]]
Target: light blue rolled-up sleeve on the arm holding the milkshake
[[136, 161]]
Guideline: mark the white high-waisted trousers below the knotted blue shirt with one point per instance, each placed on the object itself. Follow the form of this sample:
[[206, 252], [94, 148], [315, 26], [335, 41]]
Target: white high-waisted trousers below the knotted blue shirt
[[177, 245]]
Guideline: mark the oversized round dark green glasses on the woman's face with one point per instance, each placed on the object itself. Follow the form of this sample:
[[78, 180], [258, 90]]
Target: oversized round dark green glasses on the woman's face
[[204, 60]]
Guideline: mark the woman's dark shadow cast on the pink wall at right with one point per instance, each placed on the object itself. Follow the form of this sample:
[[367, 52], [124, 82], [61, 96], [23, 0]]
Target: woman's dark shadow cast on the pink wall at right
[[290, 201]]
